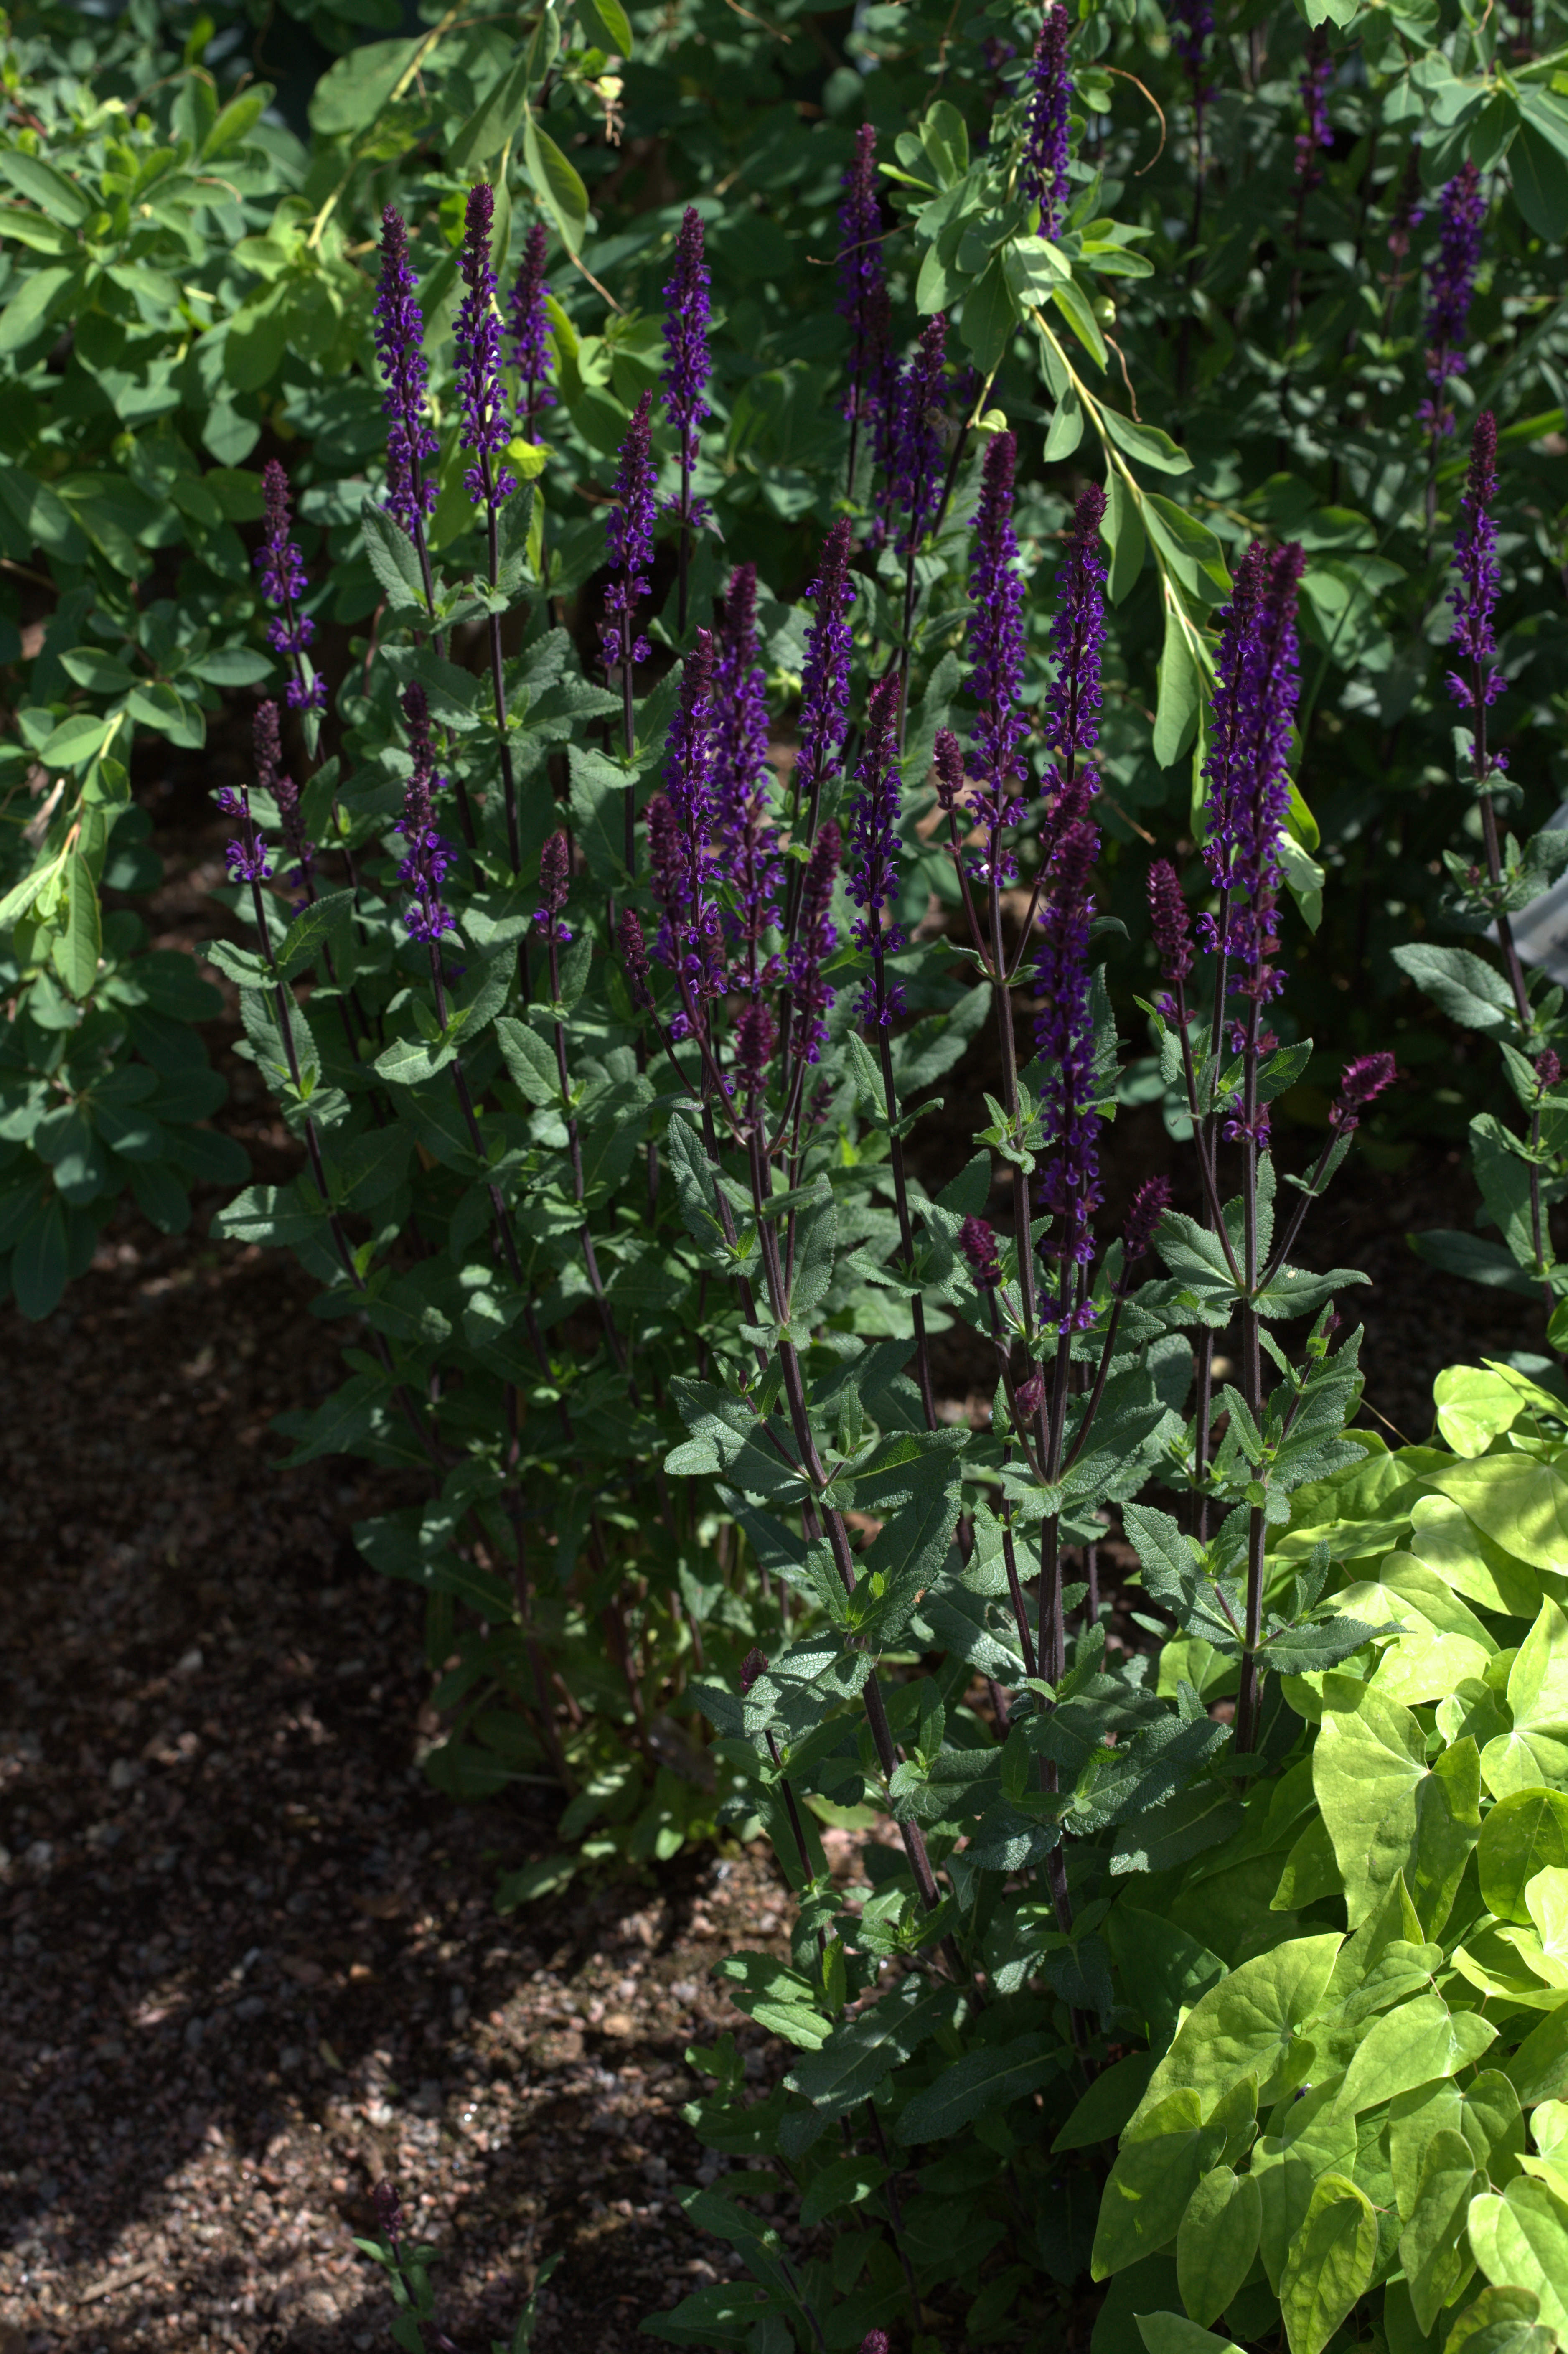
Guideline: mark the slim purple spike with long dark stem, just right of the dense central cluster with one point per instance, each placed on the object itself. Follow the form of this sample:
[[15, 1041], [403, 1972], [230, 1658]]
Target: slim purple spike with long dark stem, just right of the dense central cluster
[[872, 889]]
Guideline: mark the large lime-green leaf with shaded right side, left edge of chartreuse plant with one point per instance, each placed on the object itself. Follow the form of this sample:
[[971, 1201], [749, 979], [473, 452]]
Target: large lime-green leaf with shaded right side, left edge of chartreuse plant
[[1386, 1809]]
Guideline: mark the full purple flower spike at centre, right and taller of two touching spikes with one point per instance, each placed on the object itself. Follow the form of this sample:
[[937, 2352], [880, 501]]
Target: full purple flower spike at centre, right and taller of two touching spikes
[[748, 839]]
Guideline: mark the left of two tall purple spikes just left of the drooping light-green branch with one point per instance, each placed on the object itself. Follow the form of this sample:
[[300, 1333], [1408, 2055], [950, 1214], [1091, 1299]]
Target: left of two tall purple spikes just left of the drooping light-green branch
[[997, 665]]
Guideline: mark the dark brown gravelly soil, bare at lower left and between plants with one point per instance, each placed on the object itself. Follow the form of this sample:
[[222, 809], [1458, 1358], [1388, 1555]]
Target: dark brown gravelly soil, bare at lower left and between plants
[[251, 1962]]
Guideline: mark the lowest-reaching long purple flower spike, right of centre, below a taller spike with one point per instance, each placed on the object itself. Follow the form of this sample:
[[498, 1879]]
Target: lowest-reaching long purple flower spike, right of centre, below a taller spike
[[1065, 1039]]
